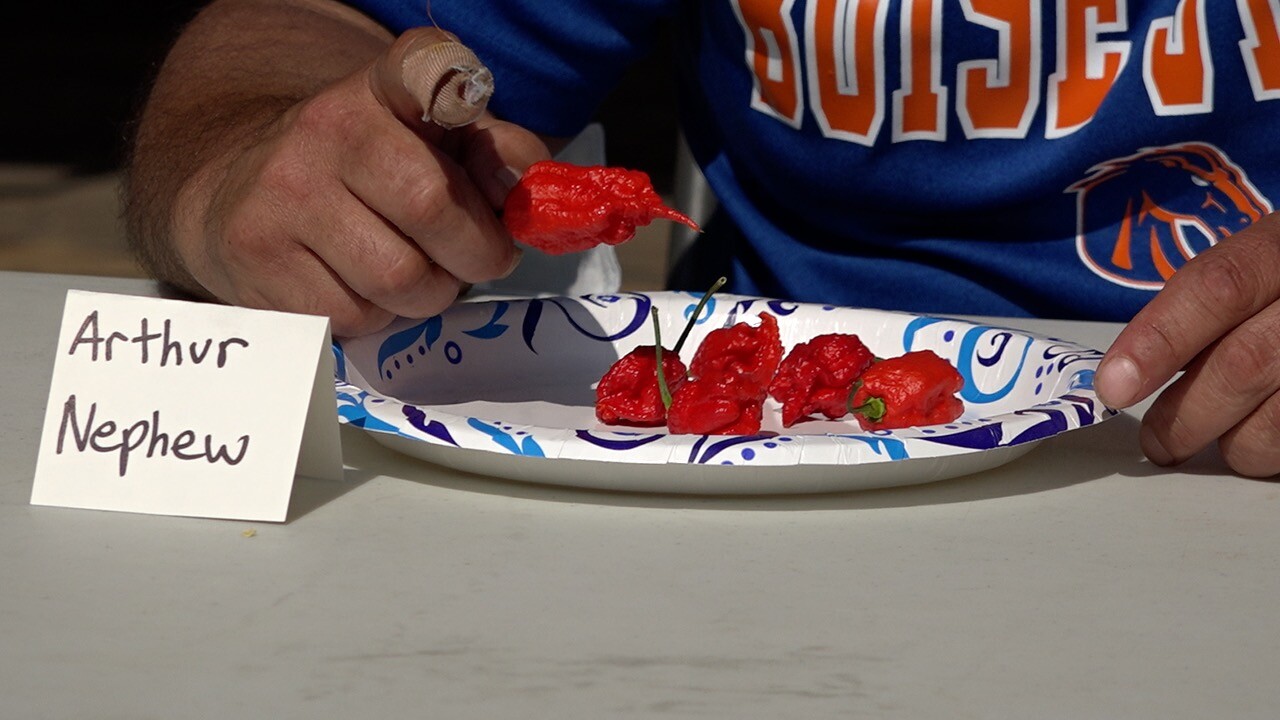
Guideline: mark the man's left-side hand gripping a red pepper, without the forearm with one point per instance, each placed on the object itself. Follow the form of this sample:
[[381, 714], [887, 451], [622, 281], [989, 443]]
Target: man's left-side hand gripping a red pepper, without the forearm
[[349, 204]]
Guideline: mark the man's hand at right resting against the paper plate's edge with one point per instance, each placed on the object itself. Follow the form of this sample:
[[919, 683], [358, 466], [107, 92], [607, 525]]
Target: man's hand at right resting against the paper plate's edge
[[1218, 320]]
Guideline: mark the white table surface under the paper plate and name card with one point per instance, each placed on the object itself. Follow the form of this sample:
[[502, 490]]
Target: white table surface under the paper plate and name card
[[1076, 582]]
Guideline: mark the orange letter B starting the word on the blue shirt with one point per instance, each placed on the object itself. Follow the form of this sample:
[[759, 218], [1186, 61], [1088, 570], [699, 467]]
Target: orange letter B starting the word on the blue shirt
[[774, 57]]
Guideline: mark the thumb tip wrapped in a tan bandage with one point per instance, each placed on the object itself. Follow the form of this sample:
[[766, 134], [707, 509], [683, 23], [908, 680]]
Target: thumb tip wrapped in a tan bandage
[[428, 76]]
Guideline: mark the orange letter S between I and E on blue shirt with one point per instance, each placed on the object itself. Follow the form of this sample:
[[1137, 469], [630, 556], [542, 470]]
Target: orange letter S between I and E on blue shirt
[[998, 98]]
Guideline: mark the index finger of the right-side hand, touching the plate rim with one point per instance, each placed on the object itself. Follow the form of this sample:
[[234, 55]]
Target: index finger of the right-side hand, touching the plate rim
[[1213, 294]]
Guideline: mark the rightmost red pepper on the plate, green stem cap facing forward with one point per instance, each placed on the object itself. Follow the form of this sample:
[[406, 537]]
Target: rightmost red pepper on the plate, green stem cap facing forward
[[917, 389]]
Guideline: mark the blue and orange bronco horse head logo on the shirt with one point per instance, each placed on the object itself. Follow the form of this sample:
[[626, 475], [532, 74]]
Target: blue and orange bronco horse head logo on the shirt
[[1141, 218]]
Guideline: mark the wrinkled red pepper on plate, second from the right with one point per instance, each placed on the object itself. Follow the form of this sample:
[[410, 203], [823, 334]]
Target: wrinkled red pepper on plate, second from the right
[[819, 377]]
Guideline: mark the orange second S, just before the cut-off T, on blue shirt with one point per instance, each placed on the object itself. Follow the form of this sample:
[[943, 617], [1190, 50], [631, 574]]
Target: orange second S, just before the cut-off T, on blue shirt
[[1176, 62]]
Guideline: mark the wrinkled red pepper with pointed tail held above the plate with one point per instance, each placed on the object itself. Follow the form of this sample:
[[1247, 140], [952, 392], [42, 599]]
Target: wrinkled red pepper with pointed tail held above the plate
[[563, 208]]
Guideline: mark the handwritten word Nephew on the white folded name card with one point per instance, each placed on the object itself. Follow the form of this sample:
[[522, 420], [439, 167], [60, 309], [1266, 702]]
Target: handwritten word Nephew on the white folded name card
[[109, 436]]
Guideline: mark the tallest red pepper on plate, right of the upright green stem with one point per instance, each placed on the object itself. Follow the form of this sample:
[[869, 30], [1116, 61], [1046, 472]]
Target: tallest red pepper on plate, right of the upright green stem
[[732, 375]]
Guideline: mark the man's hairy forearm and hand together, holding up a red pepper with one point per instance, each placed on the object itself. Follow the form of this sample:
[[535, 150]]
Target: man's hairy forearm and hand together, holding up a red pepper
[[344, 202]]
